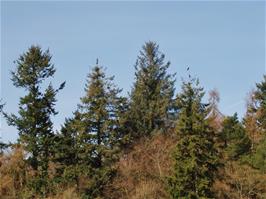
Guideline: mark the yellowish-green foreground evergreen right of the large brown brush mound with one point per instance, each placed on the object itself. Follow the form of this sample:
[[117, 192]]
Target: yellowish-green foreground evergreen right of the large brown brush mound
[[195, 158]]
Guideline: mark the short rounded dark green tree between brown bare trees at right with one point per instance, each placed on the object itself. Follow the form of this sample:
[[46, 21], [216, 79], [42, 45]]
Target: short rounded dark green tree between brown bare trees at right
[[235, 139]]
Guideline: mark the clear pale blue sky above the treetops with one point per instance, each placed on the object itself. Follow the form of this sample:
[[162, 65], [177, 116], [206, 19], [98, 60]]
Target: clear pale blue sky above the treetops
[[223, 43]]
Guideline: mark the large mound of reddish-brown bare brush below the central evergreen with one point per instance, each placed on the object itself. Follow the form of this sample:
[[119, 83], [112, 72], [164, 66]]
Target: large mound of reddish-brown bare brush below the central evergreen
[[142, 172]]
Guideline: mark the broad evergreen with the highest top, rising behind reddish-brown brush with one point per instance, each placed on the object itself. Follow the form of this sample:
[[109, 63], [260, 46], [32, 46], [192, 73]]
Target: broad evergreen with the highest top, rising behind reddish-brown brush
[[151, 96]]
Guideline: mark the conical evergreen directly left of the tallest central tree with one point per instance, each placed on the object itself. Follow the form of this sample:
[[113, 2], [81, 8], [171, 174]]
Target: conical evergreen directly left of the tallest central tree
[[100, 113]]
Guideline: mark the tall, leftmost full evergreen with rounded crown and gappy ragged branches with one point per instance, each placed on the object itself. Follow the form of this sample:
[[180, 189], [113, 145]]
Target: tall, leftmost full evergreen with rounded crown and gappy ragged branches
[[34, 123]]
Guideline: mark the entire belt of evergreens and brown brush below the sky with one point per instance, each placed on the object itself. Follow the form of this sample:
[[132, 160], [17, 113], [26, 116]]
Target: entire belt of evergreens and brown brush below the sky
[[152, 144]]
